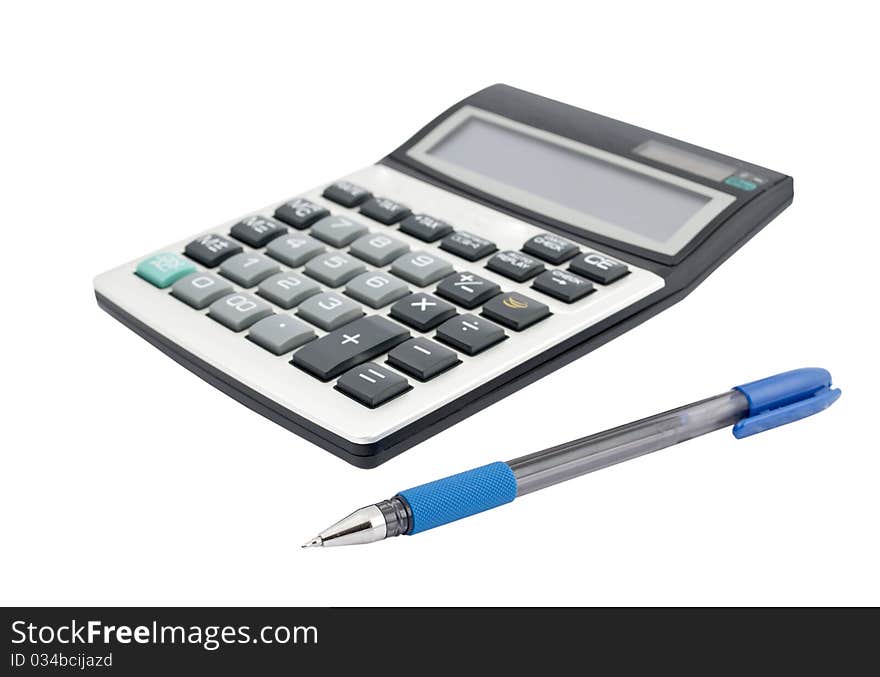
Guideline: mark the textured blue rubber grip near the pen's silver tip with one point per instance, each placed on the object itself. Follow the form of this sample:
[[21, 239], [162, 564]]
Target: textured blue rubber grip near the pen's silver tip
[[452, 498]]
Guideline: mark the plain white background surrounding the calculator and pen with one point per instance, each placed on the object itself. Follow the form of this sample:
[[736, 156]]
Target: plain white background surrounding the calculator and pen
[[127, 480]]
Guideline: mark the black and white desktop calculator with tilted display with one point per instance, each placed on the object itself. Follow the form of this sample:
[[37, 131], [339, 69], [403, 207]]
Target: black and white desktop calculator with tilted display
[[509, 236]]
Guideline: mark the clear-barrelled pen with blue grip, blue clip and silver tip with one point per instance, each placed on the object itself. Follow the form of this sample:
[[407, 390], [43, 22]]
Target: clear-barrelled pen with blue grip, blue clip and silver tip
[[751, 408]]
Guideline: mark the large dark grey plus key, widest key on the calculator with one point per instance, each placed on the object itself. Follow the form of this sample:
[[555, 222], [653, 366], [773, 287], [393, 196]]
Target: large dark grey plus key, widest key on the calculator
[[353, 344]]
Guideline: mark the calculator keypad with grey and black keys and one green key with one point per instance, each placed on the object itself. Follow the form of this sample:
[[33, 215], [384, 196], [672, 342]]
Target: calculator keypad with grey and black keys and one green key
[[342, 293]]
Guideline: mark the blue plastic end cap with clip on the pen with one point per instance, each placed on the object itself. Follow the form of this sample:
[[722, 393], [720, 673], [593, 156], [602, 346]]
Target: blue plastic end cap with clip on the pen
[[784, 398]]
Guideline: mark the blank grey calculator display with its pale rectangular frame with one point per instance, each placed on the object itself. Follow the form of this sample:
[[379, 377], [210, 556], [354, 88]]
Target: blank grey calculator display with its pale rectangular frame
[[574, 183]]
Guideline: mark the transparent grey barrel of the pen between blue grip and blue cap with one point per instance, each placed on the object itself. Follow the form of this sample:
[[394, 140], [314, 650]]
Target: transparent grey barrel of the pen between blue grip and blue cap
[[588, 454]]
